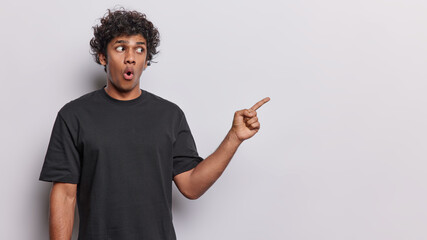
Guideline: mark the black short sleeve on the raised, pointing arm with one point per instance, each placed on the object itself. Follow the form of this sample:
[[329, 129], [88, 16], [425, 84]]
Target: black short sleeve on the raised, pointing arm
[[185, 156]]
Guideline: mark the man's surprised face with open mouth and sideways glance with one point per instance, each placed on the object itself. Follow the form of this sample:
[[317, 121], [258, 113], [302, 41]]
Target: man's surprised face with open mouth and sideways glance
[[125, 61]]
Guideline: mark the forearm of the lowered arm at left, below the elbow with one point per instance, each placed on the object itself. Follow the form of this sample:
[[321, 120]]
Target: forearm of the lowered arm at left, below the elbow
[[61, 217]]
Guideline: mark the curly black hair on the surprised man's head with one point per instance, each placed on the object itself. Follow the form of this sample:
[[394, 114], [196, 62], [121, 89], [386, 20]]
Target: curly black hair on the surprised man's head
[[122, 22]]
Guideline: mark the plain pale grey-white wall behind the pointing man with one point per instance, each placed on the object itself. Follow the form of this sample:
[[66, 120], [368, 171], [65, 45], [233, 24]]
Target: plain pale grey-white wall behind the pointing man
[[341, 153]]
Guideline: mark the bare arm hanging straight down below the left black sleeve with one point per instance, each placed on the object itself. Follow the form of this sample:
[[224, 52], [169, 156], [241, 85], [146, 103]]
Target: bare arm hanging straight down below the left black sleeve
[[62, 207]]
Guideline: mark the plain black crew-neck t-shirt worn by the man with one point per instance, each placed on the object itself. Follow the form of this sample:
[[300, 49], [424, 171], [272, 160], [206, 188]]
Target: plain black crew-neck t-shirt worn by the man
[[123, 156]]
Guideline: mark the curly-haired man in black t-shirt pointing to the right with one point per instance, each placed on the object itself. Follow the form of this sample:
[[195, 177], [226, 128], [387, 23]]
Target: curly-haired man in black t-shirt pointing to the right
[[115, 151]]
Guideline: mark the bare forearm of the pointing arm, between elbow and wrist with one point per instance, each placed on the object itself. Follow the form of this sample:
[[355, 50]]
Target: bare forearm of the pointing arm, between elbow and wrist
[[210, 169]]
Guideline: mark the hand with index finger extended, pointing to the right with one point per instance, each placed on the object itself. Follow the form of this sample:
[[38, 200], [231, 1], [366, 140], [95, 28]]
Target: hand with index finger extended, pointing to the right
[[245, 122]]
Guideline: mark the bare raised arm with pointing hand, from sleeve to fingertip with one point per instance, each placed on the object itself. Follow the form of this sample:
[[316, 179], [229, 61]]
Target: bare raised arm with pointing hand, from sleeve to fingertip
[[195, 182]]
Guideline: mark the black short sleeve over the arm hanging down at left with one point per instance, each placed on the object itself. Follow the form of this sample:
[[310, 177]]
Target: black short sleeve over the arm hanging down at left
[[62, 160]]
